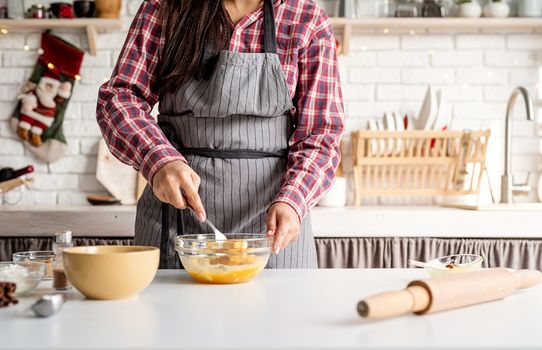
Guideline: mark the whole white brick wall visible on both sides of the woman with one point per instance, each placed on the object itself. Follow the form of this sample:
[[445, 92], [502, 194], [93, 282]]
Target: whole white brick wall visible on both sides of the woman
[[384, 72]]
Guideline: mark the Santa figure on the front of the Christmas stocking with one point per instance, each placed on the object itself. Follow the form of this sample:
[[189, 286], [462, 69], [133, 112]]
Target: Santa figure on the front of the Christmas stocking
[[39, 106]]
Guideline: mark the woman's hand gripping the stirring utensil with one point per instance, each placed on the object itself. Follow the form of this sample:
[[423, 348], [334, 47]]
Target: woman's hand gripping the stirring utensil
[[177, 184]]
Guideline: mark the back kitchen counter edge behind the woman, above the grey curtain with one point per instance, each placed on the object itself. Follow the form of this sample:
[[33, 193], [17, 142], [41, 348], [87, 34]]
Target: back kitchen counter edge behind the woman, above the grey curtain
[[381, 221]]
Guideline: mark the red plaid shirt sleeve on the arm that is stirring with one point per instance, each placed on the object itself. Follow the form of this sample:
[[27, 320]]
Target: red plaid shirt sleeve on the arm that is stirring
[[126, 100]]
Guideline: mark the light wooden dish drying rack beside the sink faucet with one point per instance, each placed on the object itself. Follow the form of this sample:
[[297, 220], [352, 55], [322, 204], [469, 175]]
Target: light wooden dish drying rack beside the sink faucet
[[418, 162]]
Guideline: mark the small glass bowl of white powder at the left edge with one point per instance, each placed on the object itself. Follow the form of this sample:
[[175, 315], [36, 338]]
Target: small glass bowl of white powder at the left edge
[[26, 275]]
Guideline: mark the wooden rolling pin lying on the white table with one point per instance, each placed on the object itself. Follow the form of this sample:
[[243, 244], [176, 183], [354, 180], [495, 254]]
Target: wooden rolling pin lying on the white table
[[448, 292]]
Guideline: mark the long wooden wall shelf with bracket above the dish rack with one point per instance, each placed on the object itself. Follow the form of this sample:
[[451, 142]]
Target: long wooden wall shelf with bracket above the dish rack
[[344, 26]]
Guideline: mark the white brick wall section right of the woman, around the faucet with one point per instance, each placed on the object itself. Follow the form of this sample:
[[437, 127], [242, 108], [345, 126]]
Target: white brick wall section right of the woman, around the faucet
[[477, 72]]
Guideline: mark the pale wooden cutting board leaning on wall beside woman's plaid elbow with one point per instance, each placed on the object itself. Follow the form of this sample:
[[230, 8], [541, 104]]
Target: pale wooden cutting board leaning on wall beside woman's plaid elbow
[[121, 180]]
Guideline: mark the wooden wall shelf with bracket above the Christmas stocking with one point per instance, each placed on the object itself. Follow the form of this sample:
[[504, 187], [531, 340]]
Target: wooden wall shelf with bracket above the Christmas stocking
[[90, 25]]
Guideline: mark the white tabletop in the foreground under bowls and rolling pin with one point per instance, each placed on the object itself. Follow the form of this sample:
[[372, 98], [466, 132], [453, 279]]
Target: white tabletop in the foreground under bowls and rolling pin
[[281, 309]]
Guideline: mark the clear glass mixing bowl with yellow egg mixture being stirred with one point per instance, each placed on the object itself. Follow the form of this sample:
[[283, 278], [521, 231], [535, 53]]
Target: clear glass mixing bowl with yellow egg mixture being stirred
[[237, 260]]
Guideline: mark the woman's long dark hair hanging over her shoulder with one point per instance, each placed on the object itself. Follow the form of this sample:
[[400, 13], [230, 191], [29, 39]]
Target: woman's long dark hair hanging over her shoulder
[[188, 26]]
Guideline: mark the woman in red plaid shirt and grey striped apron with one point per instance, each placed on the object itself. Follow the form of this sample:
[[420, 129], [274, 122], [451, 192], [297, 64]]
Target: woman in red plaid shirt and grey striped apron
[[250, 119]]
